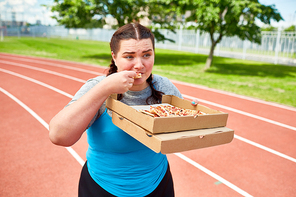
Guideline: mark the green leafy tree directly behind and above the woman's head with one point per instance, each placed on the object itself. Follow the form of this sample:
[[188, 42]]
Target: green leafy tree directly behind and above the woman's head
[[92, 13]]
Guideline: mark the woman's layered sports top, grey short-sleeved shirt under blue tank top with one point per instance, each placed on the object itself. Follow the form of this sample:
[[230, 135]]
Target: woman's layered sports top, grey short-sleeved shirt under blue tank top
[[116, 161]]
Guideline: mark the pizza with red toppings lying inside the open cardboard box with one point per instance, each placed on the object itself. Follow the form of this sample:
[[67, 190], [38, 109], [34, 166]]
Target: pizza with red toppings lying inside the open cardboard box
[[170, 111]]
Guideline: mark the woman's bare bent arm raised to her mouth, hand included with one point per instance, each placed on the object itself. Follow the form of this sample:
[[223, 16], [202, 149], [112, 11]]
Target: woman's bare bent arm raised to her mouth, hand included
[[68, 125]]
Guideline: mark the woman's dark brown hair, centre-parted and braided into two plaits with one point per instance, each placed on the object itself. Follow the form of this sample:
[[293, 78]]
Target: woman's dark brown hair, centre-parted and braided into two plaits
[[138, 32]]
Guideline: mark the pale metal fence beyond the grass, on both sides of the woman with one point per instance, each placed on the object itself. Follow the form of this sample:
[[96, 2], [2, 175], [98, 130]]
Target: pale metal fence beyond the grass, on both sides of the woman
[[276, 47]]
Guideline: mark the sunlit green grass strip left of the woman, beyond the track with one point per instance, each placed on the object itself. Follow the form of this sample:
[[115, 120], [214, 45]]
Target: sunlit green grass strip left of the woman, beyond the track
[[74, 50]]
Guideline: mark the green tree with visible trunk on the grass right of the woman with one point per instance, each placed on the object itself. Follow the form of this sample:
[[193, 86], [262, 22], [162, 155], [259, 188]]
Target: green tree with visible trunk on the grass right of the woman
[[229, 18]]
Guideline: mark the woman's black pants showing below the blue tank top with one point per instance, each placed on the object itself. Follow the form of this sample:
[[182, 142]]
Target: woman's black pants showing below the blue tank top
[[89, 188]]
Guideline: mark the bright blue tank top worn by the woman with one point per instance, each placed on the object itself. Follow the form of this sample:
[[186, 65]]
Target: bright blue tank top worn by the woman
[[119, 163]]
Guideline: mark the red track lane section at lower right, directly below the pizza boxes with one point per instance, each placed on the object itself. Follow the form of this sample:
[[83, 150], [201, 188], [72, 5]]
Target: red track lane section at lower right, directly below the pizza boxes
[[255, 171]]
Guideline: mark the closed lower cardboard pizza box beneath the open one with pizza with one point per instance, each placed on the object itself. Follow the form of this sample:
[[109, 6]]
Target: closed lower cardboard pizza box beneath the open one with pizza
[[167, 143]]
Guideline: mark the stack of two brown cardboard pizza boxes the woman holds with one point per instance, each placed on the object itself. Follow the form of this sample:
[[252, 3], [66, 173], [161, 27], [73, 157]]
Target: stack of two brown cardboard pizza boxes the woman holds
[[172, 134]]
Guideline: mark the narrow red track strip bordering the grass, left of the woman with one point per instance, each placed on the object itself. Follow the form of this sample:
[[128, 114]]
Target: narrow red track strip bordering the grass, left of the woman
[[55, 64]]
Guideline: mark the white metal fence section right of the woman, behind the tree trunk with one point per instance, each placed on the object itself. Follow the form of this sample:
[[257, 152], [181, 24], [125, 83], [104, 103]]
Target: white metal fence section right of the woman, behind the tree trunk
[[276, 47]]
